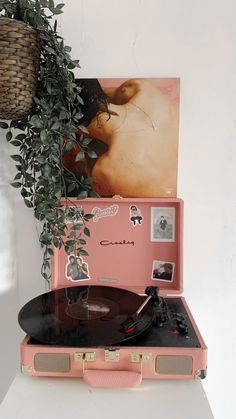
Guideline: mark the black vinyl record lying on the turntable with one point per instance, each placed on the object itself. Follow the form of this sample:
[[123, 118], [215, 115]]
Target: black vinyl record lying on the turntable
[[85, 316]]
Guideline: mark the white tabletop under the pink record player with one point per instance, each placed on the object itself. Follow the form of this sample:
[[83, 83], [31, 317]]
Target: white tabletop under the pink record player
[[37, 398]]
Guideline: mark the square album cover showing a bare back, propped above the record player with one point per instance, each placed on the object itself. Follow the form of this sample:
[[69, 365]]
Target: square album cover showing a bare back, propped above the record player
[[134, 127]]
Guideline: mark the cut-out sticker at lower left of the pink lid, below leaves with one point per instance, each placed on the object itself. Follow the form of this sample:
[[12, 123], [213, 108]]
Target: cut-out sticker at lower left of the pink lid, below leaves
[[77, 269]]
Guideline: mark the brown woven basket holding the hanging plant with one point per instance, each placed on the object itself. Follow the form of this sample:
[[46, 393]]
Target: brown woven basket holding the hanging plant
[[19, 63]]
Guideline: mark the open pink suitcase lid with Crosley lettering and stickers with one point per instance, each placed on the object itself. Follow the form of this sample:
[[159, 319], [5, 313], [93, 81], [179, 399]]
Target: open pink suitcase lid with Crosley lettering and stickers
[[133, 243]]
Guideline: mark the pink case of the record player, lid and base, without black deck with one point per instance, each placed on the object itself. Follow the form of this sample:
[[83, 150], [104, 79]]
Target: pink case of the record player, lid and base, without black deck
[[126, 248]]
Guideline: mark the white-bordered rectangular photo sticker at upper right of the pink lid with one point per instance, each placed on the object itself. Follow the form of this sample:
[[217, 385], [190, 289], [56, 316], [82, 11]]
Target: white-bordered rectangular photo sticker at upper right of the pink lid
[[163, 224]]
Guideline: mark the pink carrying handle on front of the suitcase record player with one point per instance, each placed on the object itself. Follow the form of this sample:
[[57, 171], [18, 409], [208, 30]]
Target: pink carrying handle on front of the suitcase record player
[[112, 378]]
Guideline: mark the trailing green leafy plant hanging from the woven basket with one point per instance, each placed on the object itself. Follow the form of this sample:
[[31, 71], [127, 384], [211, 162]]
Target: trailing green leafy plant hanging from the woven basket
[[48, 132]]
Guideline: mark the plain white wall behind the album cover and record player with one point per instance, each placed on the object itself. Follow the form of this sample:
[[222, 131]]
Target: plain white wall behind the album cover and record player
[[194, 40]]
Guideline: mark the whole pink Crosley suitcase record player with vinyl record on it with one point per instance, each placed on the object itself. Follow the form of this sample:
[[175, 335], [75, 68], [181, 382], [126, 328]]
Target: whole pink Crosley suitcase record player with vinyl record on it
[[116, 316]]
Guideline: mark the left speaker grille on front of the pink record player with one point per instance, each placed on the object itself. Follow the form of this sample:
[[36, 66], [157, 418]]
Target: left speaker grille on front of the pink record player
[[52, 362]]
